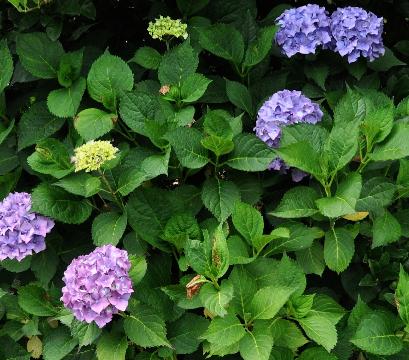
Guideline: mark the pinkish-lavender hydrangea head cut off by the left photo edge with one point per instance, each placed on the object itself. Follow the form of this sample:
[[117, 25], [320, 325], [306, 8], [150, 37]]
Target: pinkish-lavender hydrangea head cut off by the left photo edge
[[22, 232]]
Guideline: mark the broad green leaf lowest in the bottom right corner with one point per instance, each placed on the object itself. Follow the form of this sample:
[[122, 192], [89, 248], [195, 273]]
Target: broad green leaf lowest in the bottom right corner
[[376, 334]]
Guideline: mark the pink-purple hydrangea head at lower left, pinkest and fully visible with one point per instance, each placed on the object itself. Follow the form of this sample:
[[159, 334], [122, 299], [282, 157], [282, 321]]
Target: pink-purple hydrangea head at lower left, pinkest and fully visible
[[97, 285]]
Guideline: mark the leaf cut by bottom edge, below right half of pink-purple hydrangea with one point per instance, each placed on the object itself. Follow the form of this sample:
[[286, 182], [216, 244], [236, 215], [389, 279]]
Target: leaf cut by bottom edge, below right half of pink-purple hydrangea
[[111, 346]]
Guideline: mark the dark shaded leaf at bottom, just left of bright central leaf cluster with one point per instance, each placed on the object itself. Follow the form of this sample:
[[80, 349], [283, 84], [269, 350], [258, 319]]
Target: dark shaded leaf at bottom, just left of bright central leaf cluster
[[185, 333]]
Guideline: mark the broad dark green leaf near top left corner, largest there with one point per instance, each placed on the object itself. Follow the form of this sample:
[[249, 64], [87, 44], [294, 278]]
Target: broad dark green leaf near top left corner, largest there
[[39, 55]]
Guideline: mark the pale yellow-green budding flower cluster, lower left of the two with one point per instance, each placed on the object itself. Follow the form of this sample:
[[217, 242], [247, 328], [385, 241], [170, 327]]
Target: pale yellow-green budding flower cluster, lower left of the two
[[92, 155]]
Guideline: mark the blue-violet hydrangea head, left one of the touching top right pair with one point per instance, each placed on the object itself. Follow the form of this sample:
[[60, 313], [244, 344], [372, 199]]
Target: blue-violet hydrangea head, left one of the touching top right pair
[[303, 30]]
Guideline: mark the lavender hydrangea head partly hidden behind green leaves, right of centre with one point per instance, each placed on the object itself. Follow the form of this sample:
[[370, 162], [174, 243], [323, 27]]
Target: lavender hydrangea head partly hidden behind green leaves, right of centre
[[284, 108]]
